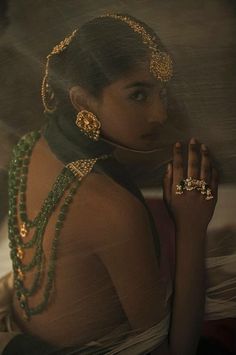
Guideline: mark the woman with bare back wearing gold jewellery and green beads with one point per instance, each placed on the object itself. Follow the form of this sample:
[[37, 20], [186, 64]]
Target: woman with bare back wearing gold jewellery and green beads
[[86, 257]]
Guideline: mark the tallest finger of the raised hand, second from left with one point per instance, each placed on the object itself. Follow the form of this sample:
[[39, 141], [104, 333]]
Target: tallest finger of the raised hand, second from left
[[193, 159]]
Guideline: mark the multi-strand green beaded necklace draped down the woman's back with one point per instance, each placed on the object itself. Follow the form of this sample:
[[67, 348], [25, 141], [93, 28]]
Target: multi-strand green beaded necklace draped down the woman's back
[[66, 183]]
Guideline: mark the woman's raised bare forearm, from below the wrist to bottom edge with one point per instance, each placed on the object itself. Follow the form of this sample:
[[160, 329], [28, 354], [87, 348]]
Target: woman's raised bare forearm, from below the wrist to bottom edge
[[189, 291]]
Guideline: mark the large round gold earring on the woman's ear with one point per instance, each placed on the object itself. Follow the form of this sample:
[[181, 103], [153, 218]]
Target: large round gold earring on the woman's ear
[[88, 124]]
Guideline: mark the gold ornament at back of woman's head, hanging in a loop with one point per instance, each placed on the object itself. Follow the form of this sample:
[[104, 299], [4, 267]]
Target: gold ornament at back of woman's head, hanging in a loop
[[46, 90]]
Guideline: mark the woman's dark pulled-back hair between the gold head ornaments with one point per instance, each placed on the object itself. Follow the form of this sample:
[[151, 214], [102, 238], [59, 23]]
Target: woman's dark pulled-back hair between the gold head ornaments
[[102, 50]]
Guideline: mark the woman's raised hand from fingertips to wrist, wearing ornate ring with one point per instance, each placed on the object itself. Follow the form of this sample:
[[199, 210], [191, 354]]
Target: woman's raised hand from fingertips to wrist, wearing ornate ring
[[190, 208]]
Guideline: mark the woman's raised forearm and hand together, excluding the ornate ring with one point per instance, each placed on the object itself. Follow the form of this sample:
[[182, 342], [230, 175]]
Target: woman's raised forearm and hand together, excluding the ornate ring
[[191, 213]]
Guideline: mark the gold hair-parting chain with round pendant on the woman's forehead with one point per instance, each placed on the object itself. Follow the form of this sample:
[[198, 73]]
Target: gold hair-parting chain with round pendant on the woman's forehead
[[161, 65]]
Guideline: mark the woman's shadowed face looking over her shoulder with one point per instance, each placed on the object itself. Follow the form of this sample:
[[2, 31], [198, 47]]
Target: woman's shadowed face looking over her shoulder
[[132, 110]]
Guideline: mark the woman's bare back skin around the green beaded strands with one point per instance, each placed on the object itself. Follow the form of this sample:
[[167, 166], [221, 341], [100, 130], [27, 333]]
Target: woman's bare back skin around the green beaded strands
[[84, 305]]
